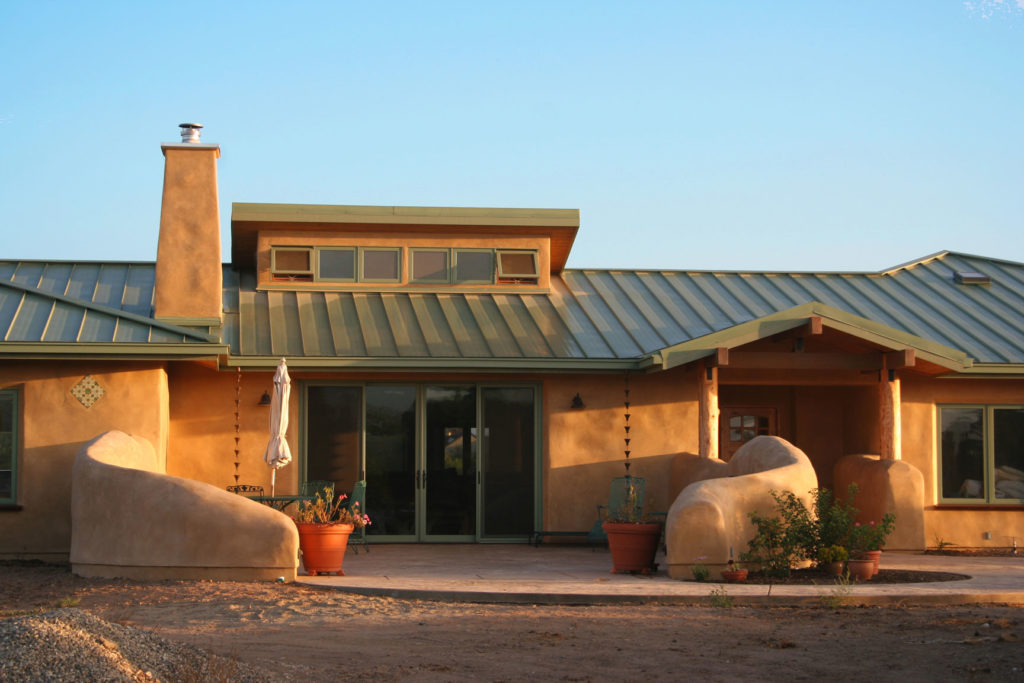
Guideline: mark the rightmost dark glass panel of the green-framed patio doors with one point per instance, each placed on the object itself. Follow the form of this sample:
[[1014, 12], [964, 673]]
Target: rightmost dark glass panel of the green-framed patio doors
[[507, 461]]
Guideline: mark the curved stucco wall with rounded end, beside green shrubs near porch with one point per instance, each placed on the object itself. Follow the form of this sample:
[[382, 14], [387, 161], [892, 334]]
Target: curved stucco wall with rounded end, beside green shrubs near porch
[[712, 517]]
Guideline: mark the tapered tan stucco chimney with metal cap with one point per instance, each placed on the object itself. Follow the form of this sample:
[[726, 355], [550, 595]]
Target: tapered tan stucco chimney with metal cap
[[189, 270]]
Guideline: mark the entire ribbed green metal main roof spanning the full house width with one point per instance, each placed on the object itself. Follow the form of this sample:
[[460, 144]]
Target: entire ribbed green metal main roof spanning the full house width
[[589, 320]]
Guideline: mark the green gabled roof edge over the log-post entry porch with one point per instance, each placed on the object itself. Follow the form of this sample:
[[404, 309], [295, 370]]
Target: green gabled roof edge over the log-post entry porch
[[814, 314]]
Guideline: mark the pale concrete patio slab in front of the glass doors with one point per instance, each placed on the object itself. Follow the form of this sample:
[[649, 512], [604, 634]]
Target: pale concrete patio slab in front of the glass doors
[[567, 575]]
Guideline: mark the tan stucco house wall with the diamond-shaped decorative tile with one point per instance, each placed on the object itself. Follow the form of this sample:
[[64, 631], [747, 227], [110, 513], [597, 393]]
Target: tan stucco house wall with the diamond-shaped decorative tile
[[55, 425]]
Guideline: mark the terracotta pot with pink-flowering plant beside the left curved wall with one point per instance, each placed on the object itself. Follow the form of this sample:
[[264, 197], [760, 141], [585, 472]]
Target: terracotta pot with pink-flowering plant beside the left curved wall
[[325, 524]]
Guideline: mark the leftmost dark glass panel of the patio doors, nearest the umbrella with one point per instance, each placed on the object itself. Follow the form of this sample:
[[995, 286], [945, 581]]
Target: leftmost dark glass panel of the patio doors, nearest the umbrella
[[333, 436]]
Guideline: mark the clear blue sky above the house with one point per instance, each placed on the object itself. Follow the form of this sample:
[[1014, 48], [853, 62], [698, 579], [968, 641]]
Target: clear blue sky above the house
[[726, 136]]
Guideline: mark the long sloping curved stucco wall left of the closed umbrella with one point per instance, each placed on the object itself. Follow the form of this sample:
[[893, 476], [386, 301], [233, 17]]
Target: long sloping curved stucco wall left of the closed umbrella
[[132, 521]]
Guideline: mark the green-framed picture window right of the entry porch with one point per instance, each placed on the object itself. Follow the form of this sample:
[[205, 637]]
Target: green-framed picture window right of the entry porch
[[983, 454]]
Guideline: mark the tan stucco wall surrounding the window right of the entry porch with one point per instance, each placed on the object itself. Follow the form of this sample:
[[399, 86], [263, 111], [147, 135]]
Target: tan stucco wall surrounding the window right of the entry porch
[[963, 526]]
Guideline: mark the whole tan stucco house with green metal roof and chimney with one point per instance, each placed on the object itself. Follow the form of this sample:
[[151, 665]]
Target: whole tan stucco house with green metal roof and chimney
[[450, 359]]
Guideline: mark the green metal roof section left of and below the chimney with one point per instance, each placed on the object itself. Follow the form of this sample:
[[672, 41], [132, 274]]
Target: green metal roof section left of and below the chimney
[[87, 309]]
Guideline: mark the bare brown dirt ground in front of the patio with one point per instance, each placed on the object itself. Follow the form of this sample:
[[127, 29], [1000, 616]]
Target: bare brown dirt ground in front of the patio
[[304, 633]]
